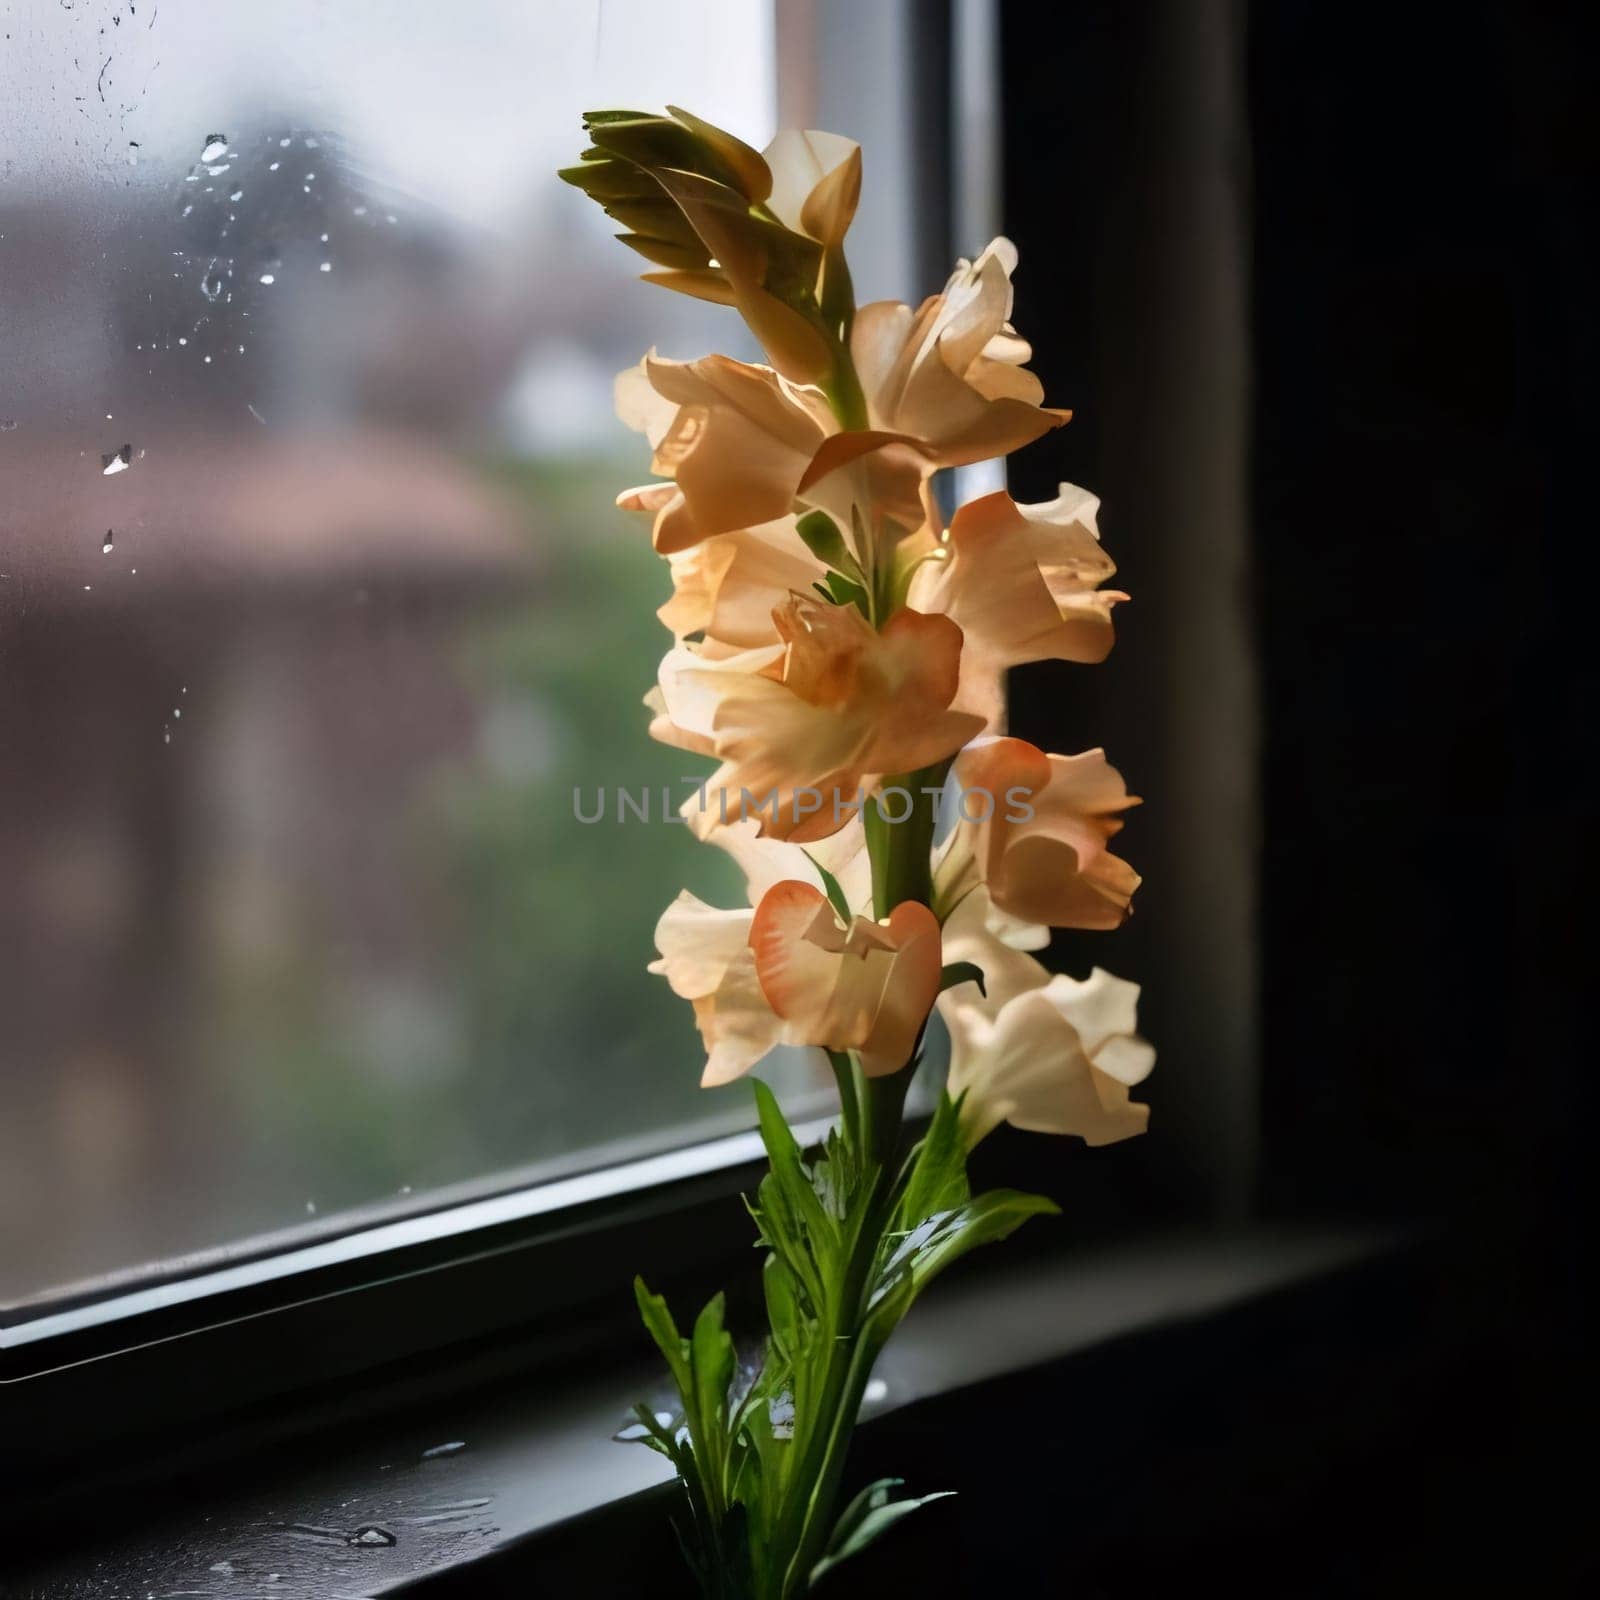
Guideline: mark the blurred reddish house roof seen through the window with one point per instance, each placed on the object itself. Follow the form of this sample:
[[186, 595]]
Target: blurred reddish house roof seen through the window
[[255, 511]]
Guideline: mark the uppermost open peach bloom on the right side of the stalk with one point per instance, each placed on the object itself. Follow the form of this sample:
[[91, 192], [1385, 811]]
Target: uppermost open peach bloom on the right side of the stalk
[[951, 374]]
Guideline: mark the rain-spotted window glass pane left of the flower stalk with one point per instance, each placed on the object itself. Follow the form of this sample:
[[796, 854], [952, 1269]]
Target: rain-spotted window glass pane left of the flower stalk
[[314, 615]]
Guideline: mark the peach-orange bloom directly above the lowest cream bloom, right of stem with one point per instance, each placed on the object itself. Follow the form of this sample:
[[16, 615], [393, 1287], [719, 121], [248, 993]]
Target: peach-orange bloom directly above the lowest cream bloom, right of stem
[[1036, 828]]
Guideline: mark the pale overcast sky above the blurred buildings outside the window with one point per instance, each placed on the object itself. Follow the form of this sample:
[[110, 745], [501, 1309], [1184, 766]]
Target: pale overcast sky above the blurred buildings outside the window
[[463, 106]]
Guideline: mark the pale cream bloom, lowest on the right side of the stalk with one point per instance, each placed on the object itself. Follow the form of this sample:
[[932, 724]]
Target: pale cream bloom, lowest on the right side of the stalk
[[1046, 1054]]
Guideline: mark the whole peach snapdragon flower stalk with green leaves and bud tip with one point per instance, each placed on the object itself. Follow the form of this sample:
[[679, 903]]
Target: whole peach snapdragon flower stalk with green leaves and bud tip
[[841, 654]]
